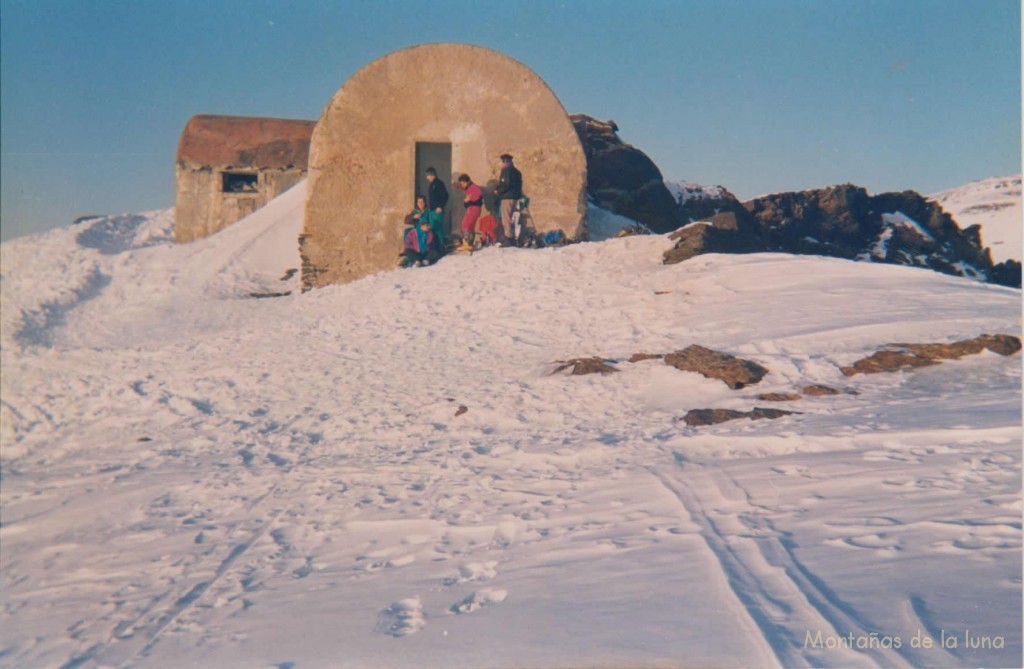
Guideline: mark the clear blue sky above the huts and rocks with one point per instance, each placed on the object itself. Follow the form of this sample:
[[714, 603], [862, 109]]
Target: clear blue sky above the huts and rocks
[[757, 96]]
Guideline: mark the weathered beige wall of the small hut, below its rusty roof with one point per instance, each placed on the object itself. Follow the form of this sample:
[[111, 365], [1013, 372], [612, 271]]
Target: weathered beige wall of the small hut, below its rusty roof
[[202, 208]]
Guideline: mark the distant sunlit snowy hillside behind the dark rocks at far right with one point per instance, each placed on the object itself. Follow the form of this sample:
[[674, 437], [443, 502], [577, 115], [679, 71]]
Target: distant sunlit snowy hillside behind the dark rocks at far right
[[996, 205]]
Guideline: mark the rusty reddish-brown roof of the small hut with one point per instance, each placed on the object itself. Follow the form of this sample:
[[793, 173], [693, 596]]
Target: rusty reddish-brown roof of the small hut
[[246, 142]]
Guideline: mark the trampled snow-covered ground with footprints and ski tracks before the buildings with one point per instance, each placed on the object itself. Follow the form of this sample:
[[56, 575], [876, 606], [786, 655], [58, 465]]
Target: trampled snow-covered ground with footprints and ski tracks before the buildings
[[387, 475]]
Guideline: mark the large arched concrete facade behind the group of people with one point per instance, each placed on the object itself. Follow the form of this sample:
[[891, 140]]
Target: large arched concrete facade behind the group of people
[[363, 158]]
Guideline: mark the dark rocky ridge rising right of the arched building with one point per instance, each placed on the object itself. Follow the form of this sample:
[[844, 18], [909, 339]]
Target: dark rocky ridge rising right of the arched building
[[842, 222]]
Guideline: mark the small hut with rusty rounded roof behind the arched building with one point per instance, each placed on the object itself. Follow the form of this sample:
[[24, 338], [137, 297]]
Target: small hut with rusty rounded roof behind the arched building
[[229, 166]]
